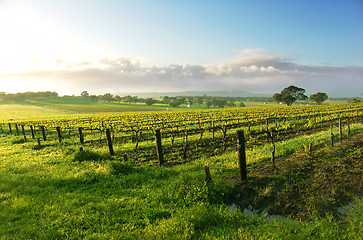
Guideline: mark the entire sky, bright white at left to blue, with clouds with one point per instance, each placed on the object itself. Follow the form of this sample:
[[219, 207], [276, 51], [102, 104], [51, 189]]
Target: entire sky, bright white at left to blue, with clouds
[[110, 46]]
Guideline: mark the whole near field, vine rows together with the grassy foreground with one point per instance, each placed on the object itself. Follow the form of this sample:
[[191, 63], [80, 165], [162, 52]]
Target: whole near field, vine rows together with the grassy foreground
[[98, 176]]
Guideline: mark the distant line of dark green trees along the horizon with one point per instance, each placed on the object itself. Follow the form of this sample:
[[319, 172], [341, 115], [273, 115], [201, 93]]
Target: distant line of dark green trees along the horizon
[[287, 96]]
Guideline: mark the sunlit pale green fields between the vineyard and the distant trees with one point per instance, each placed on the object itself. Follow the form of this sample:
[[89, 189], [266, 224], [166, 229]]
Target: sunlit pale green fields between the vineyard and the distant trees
[[62, 107]]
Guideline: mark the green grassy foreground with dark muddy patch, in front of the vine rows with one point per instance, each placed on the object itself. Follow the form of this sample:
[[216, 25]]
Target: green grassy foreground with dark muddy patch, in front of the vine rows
[[58, 193]]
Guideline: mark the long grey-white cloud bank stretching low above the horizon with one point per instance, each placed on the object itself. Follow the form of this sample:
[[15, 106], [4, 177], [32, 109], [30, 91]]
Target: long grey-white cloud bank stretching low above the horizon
[[252, 70]]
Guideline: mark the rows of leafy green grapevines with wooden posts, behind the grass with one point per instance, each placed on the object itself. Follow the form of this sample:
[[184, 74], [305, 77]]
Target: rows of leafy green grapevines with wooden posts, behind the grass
[[186, 135]]
